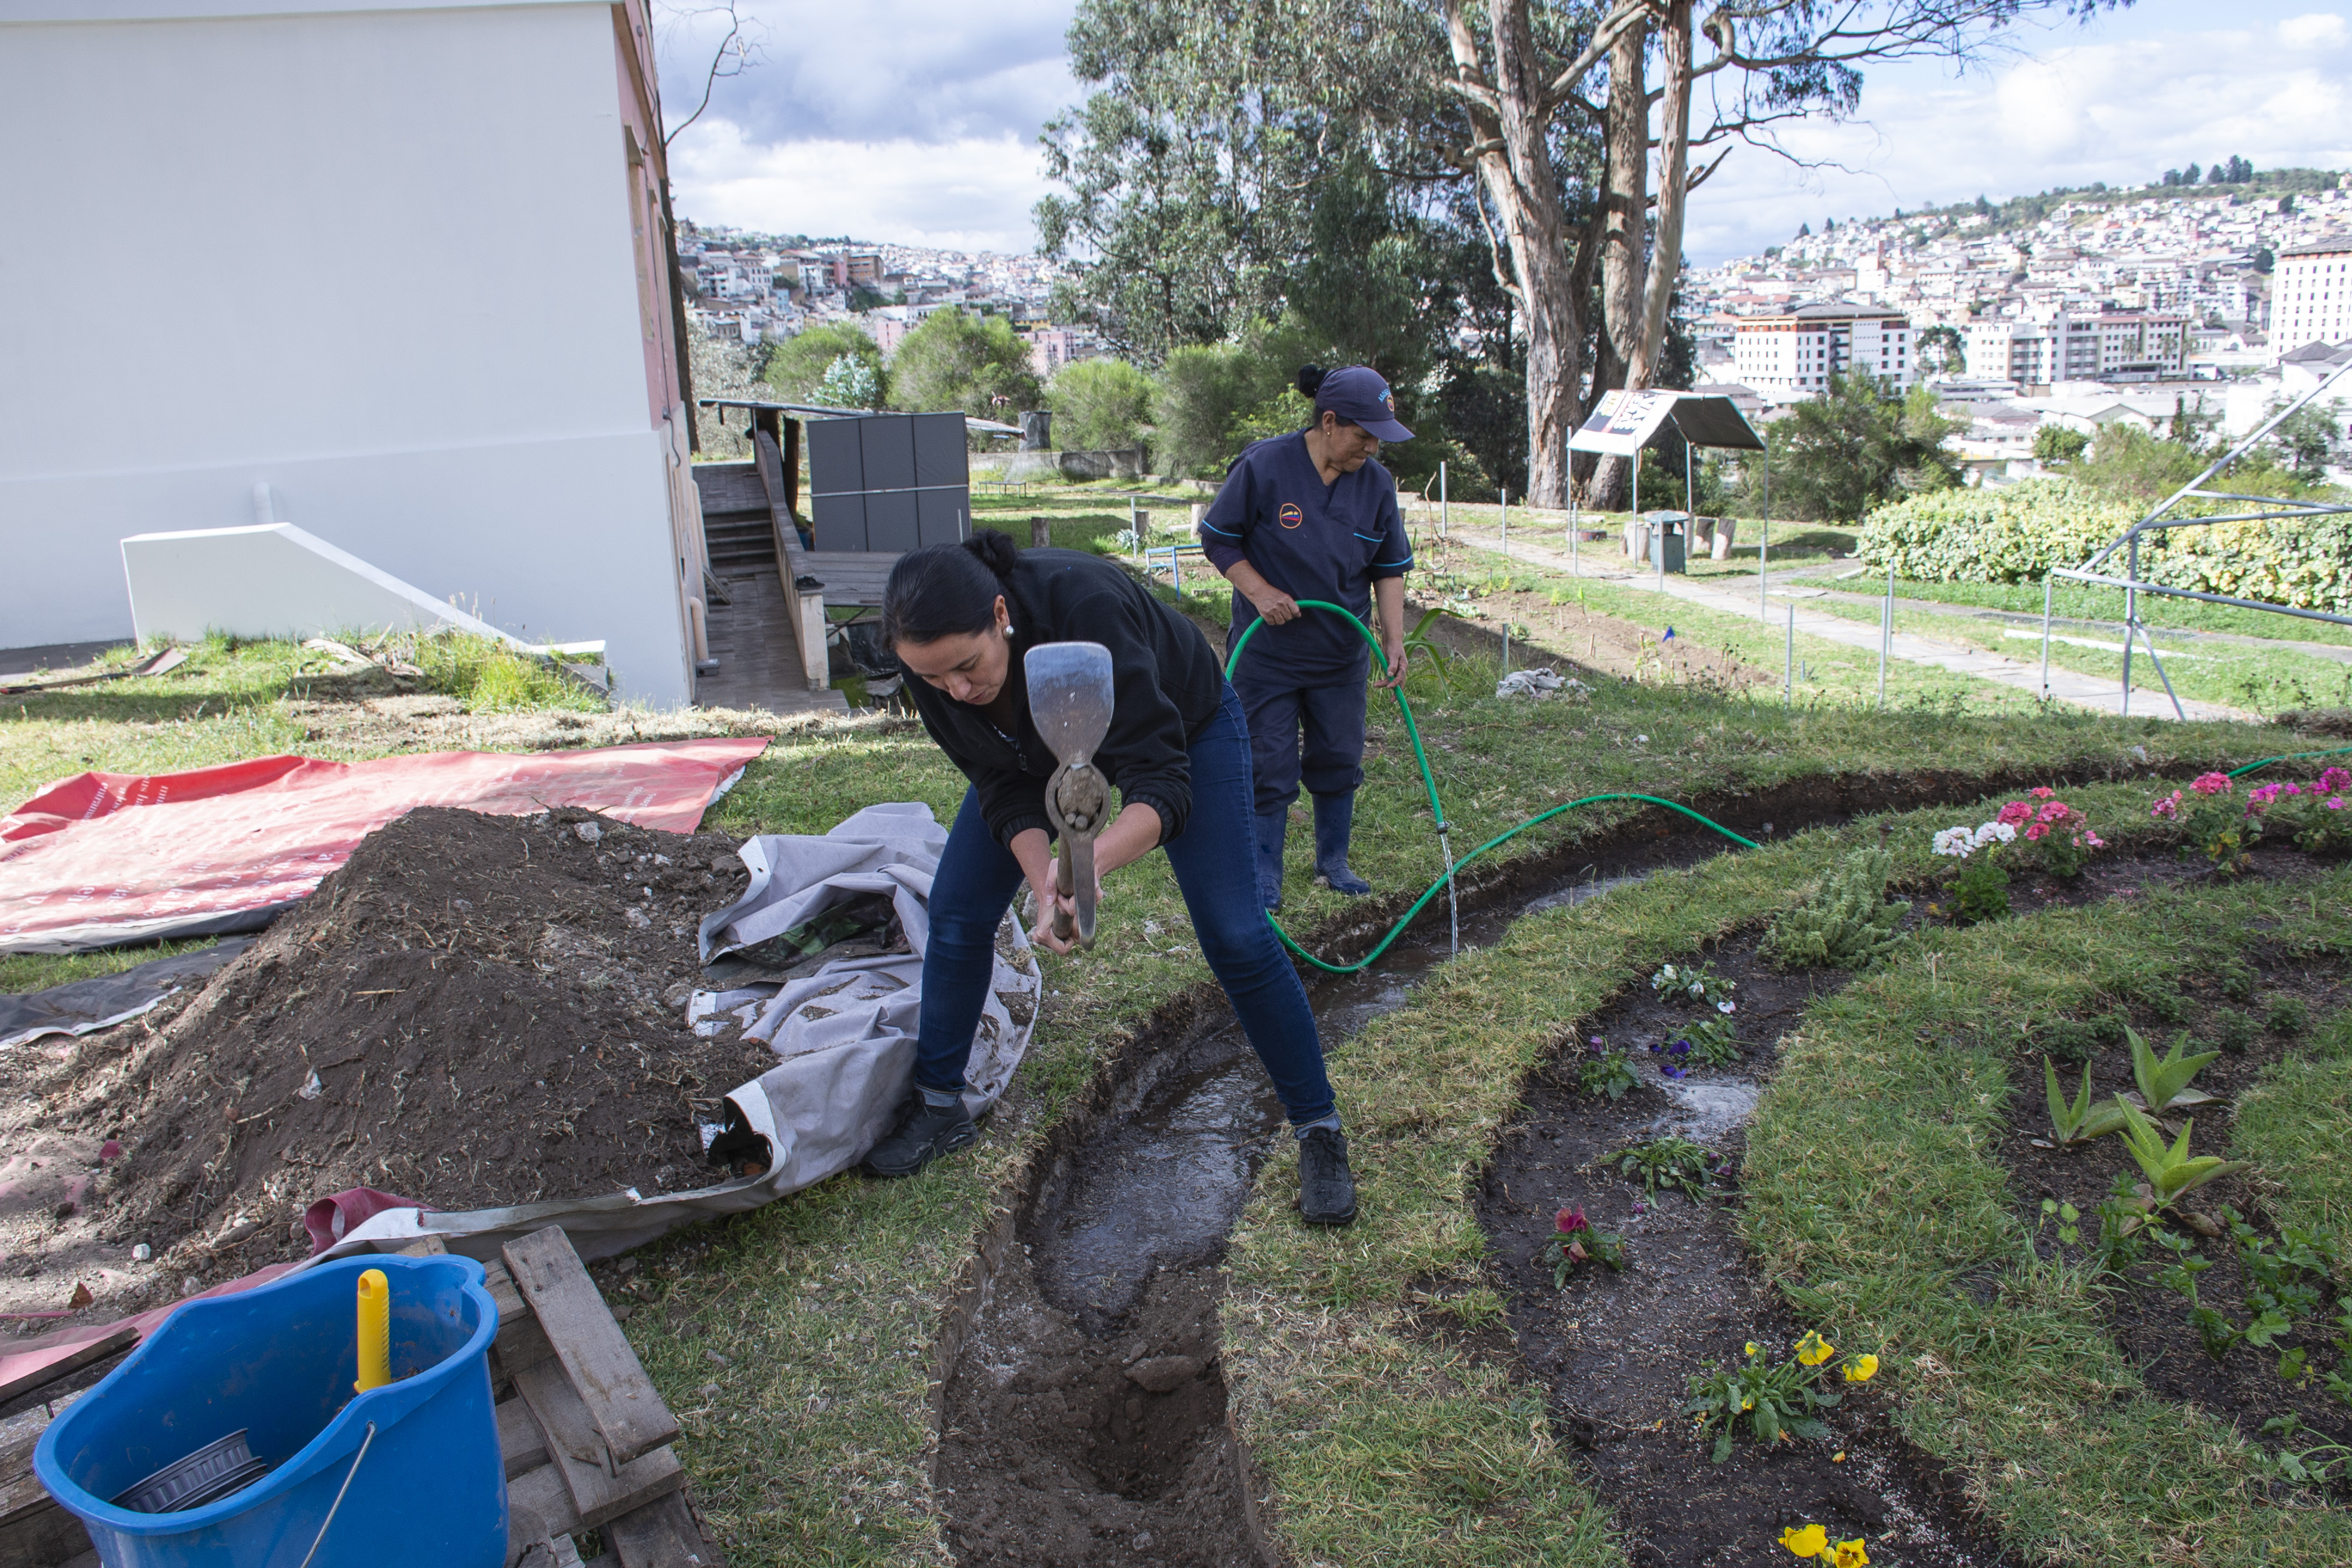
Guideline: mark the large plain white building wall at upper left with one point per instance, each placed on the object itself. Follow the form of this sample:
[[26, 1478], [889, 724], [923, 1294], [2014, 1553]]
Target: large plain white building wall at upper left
[[305, 215]]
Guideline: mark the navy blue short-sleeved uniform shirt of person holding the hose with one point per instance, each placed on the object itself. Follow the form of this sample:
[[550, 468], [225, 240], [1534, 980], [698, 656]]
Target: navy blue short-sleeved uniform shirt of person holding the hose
[[1314, 542]]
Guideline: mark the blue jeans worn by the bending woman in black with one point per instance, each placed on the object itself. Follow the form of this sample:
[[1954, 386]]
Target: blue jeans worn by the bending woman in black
[[1217, 871]]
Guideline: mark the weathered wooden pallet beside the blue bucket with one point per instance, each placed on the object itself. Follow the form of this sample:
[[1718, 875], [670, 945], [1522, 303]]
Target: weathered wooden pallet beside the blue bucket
[[584, 1435]]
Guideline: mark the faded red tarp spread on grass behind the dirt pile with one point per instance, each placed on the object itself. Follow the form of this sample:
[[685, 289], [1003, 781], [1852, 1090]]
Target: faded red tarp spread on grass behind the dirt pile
[[107, 859]]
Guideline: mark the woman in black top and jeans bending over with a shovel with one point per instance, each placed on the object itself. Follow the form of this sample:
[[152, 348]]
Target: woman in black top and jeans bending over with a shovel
[[1177, 749]]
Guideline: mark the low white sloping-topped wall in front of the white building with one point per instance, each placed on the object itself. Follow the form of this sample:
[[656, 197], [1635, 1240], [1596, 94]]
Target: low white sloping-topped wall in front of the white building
[[272, 582]]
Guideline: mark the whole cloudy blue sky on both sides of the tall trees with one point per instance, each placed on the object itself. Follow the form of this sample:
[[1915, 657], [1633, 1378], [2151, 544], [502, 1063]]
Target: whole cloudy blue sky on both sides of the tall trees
[[918, 121]]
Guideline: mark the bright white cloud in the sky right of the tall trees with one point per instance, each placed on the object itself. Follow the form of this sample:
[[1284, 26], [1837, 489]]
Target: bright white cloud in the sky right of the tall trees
[[2273, 91]]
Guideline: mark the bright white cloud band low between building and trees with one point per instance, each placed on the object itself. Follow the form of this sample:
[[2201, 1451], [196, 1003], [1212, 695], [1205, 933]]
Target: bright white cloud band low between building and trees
[[958, 194]]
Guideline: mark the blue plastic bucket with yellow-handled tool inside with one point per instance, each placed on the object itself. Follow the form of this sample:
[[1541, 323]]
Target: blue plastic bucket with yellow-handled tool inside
[[279, 1362]]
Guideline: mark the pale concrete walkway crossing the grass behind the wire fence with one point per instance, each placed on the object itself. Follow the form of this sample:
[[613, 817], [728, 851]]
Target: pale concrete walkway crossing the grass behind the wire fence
[[1608, 563]]
